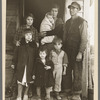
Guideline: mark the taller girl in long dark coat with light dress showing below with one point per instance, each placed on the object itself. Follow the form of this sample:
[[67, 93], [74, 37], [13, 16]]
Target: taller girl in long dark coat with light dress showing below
[[24, 59]]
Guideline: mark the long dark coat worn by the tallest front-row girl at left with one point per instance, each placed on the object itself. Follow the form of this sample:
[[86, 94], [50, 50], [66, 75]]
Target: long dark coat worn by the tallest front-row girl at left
[[25, 54]]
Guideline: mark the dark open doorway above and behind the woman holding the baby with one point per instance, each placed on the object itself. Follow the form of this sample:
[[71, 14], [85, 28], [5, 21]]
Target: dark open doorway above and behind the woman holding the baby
[[40, 7]]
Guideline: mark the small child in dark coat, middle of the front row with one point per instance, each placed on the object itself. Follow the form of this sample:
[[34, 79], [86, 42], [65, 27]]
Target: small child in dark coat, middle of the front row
[[44, 73]]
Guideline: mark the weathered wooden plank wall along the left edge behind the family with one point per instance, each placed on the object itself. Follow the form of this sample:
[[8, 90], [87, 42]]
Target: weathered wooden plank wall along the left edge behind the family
[[12, 12]]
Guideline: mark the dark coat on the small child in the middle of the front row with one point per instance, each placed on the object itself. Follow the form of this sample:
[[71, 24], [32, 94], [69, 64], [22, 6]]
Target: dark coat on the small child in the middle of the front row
[[44, 78]]
